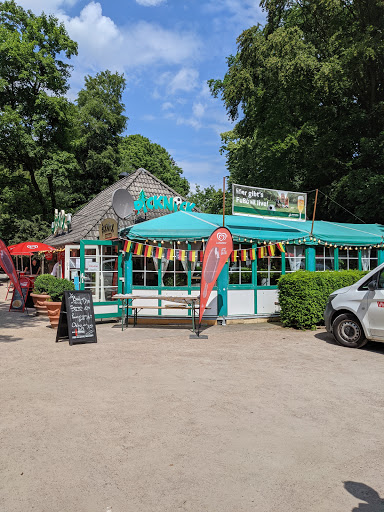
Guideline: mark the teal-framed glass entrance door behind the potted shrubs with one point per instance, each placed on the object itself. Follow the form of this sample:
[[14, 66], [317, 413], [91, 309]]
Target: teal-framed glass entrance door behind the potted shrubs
[[101, 269]]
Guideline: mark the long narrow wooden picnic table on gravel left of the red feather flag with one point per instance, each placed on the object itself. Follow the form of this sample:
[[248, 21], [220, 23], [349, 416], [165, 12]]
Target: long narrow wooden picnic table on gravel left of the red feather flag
[[181, 302]]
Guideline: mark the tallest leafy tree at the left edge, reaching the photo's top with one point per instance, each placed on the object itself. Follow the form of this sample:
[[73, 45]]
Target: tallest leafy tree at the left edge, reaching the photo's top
[[34, 114]]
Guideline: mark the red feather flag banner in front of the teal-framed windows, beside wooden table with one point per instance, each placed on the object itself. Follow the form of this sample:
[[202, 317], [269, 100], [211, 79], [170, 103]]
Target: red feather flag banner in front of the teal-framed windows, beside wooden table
[[217, 251]]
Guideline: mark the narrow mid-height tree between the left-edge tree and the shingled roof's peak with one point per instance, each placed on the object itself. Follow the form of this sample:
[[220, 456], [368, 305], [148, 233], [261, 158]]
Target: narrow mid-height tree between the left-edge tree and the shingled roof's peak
[[101, 122]]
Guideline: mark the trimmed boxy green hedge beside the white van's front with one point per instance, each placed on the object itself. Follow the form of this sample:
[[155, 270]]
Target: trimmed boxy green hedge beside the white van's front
[[303, 295]]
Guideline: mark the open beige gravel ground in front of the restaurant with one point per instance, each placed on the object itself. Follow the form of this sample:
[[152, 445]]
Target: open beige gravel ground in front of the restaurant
[[256, 418]]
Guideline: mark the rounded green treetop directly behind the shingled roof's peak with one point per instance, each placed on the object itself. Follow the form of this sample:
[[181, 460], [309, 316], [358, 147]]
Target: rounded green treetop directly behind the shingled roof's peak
[[138, 151]]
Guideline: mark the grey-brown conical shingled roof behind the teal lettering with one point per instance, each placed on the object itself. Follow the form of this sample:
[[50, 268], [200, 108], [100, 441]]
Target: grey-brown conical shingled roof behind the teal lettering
[[85, 223]]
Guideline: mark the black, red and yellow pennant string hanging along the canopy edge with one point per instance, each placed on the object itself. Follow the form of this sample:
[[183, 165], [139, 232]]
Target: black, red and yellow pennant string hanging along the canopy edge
[[139, 249]]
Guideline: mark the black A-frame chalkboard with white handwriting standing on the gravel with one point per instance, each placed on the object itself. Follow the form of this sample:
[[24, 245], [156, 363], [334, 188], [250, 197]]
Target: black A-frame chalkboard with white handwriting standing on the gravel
[[77, 318]]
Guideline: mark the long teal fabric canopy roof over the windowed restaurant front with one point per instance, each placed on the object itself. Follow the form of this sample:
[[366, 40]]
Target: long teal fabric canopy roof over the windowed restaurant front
[[193, 226]]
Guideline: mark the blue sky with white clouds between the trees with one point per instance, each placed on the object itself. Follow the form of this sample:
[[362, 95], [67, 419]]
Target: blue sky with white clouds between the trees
[[167, 50]]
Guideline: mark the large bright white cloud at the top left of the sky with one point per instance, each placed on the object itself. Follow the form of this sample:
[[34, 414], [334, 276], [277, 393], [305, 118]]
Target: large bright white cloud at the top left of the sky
[[103, 44]]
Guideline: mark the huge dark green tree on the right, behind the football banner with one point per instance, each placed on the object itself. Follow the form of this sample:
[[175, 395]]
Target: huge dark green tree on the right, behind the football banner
[[307, 92]]
